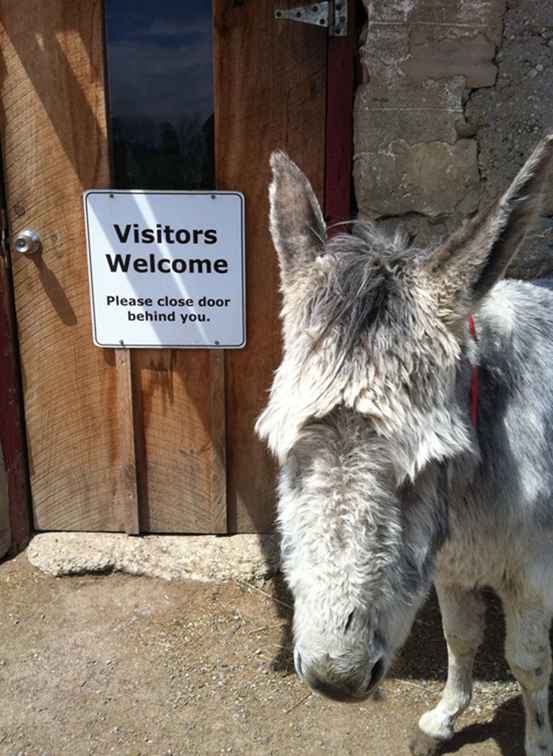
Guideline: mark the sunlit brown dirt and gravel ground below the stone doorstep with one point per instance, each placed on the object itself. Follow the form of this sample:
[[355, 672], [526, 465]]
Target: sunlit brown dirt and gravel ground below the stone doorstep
[[125, 665]]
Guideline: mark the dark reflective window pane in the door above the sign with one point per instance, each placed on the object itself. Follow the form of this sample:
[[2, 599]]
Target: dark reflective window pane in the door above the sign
[[160, 84]]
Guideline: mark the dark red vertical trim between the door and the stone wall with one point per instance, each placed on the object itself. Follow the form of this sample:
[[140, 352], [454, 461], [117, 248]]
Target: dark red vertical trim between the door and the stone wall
[[339, 125]]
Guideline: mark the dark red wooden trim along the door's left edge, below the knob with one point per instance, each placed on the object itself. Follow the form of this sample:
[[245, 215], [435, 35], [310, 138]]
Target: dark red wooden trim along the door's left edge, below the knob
[[12, 434]]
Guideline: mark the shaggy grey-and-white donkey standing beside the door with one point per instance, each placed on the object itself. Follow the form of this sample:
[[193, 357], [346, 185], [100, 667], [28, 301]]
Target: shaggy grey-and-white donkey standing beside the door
[[386, 483]]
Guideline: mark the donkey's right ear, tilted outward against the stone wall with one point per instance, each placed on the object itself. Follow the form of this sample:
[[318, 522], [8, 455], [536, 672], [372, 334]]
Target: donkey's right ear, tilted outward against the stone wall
[[471, 261]]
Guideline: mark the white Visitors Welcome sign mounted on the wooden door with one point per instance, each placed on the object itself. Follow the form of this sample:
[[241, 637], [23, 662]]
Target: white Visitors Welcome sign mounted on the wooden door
[[166, 268]]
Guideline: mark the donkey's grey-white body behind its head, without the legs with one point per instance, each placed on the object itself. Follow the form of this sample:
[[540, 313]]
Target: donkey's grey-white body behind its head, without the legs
[[500, 508]]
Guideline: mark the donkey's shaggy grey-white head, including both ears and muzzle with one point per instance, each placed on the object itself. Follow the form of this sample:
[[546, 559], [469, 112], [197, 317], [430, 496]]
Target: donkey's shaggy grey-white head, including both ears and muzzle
[[367, 409]]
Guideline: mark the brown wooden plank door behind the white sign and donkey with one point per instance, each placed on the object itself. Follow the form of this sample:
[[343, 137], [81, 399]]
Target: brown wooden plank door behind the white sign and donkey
[[140, 440]]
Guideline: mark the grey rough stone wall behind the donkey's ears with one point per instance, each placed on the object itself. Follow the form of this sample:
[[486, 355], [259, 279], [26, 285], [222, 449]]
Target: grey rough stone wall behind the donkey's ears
[[455, 94]]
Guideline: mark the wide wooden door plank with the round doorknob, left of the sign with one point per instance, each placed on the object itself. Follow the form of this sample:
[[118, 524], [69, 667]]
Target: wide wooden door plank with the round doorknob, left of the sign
[[79, 429]]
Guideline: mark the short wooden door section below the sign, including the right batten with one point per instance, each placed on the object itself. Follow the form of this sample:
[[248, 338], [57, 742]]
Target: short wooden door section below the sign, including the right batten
[[183, 481]]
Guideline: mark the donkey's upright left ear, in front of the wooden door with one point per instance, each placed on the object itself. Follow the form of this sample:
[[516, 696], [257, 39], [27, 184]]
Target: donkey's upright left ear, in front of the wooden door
[[297, 224]]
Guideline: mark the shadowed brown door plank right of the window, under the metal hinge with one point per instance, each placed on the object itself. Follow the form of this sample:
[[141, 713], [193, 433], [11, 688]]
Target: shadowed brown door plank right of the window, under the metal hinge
[[270, 91]]
